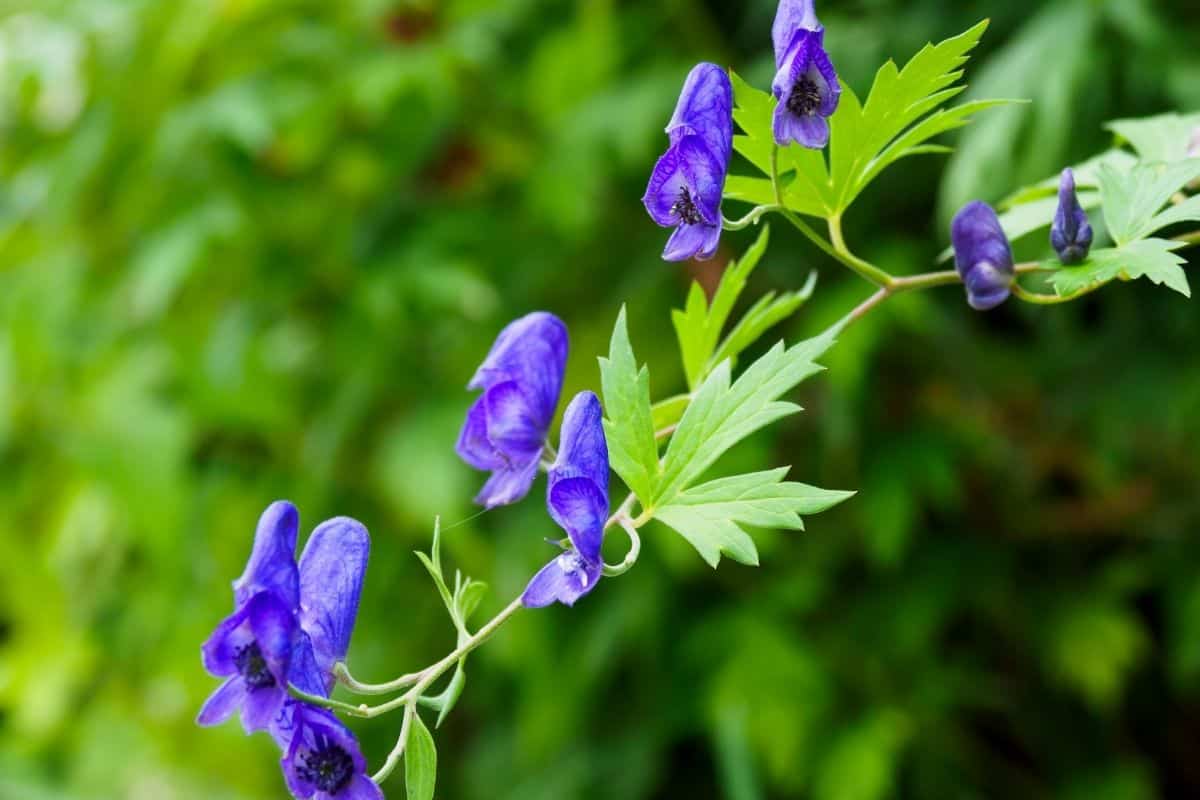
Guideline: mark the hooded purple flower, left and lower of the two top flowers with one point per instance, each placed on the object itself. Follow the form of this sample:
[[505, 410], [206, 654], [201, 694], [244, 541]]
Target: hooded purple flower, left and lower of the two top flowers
[[686, 188]]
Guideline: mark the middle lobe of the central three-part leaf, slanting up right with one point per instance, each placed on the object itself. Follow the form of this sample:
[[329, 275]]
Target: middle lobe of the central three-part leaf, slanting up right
[[722, 414]]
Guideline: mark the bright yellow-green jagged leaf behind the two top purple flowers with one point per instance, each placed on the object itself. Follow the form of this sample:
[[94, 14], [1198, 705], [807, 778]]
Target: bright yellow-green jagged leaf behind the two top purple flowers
[[903, 112]]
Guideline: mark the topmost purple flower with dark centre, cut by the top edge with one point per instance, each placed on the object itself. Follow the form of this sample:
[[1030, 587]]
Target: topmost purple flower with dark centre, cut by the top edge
[[806, 85]]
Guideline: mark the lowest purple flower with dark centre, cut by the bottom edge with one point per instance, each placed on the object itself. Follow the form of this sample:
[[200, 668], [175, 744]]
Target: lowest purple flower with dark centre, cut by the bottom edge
[[323, 760]]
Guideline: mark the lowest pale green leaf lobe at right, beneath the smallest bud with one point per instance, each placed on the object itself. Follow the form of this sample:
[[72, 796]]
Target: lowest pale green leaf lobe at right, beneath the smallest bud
[[1147, 258]]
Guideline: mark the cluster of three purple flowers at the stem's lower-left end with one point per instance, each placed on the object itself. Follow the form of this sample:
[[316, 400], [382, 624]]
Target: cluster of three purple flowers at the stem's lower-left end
[[291, 624]]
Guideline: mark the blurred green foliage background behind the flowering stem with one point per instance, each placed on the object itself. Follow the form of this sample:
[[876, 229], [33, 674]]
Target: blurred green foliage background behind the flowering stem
[[254, 250]]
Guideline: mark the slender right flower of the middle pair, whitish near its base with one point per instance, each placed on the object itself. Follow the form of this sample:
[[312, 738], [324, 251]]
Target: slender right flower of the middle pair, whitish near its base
[[578, 500]]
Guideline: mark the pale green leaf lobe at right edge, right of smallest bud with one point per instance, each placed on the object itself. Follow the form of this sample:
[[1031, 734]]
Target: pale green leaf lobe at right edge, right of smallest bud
[[1132, 201]]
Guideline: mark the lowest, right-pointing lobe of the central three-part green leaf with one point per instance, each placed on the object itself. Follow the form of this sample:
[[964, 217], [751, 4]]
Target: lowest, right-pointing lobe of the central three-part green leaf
[[712, 516]]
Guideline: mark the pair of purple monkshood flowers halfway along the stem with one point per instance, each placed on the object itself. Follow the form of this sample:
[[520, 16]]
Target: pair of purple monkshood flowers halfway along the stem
[[506, 432]]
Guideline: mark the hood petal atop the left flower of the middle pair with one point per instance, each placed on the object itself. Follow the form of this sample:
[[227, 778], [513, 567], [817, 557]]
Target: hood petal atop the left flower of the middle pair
[[532, 352]]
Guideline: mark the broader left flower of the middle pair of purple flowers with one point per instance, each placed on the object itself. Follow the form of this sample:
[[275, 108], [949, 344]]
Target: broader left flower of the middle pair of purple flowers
[[506, 430]]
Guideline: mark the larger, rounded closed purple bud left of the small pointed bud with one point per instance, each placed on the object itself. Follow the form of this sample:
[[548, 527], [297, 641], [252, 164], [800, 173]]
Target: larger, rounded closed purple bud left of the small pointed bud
[[982, 256]]
